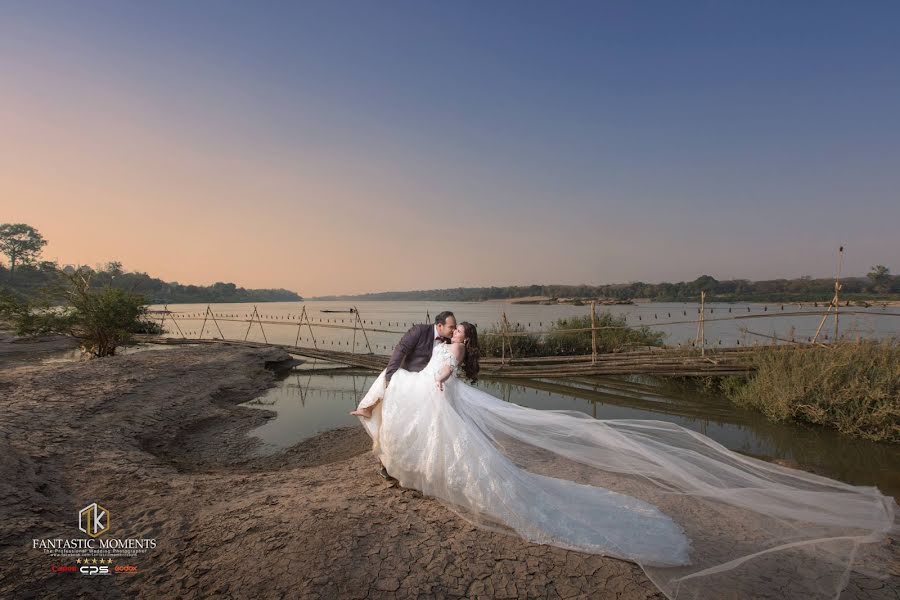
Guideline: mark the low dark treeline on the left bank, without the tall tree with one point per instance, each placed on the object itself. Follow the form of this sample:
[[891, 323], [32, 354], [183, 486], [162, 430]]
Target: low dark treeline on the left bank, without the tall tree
[[28, 279]]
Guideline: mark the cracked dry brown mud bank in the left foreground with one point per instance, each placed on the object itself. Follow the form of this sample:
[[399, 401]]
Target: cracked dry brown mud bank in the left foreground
[[157, 438]]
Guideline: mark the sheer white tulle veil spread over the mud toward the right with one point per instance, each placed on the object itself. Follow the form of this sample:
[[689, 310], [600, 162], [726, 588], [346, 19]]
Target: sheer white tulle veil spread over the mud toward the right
[[755, 529]]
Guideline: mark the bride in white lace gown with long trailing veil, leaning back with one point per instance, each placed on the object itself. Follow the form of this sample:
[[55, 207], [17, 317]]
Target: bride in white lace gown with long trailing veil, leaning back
[[702, 521]]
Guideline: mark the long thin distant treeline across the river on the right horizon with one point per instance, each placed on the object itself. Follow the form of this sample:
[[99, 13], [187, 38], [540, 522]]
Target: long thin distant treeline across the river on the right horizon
[[879, 284]]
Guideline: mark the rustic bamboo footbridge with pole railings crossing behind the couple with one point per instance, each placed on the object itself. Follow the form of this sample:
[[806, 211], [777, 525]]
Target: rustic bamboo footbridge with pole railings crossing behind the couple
[[699, 359]]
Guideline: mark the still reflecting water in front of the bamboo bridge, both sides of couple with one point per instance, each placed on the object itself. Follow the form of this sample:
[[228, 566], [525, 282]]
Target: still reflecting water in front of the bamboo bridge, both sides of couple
[[317, 396]]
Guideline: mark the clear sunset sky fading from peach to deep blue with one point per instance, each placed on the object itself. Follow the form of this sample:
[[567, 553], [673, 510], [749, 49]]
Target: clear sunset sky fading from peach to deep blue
[[340, 147]]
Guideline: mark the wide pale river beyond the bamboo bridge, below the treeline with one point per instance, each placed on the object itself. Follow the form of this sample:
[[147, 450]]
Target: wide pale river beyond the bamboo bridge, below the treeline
[[723, 322]]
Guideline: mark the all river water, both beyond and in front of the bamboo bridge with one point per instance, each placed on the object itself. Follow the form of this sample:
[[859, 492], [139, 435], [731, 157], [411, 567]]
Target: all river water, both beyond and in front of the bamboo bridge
[[316, 396]]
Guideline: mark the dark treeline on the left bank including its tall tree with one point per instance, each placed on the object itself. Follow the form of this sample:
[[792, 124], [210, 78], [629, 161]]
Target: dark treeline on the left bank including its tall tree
[[25, 275]]
